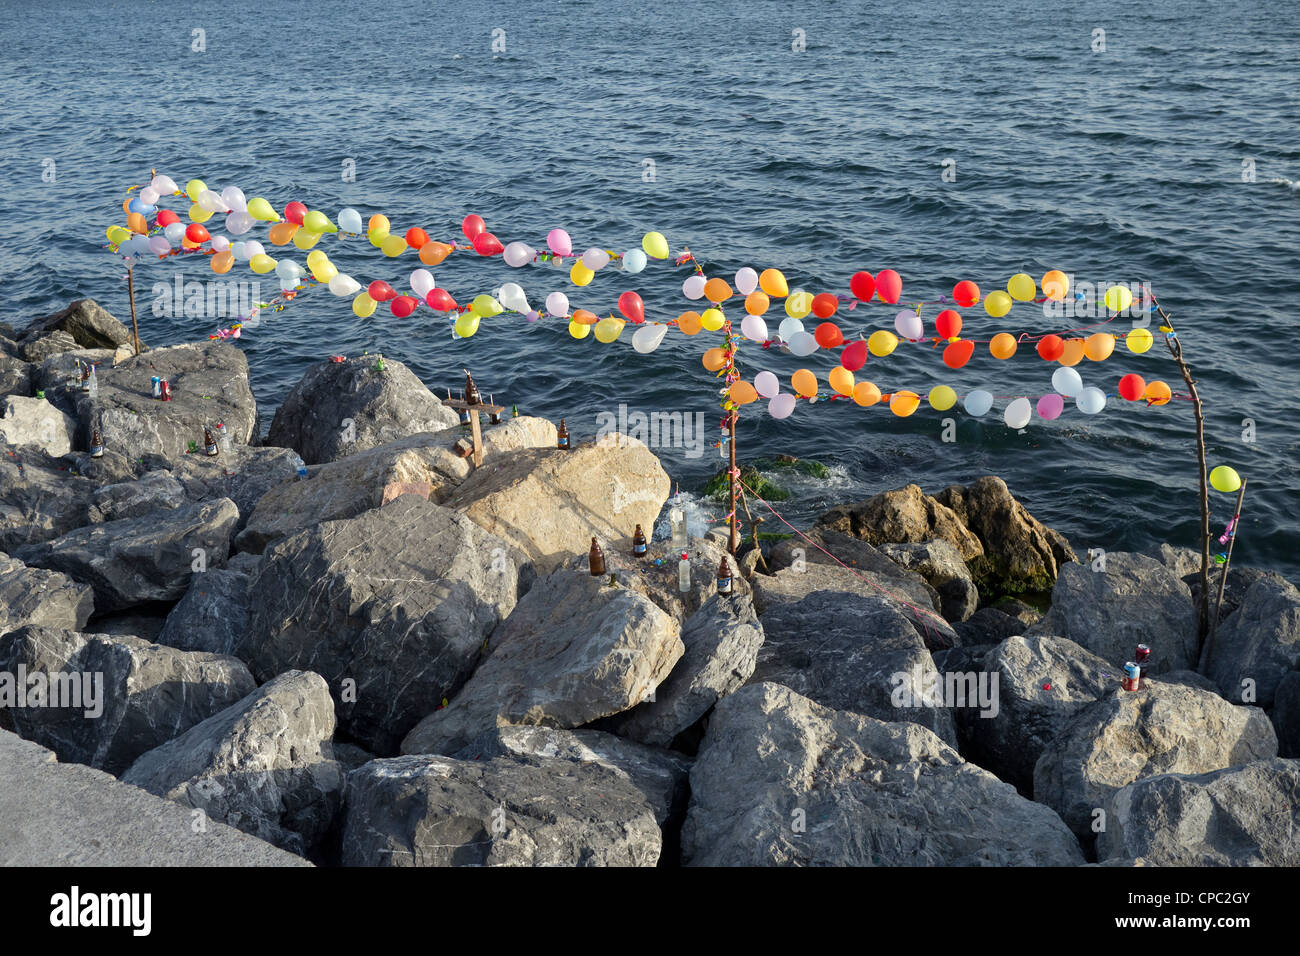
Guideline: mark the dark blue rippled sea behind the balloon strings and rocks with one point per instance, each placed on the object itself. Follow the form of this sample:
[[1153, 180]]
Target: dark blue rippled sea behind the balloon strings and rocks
[[1169, 158]]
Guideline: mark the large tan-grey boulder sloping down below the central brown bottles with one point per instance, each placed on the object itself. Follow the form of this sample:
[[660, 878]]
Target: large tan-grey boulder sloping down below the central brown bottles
[[574, 650]]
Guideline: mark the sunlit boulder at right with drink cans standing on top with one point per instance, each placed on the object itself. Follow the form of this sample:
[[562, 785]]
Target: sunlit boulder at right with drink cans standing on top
[[1129, 736]]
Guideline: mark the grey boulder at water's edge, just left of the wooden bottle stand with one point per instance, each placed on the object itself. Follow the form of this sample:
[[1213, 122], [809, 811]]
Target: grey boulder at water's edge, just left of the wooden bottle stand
[[340, 409]]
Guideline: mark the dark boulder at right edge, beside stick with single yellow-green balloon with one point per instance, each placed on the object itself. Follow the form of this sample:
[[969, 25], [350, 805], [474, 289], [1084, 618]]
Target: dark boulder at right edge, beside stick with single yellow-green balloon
[[1259, 643]]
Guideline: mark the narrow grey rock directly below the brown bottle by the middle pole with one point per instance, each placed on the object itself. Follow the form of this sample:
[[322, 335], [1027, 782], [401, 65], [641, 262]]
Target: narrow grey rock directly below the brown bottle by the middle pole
[[722, 642]]
